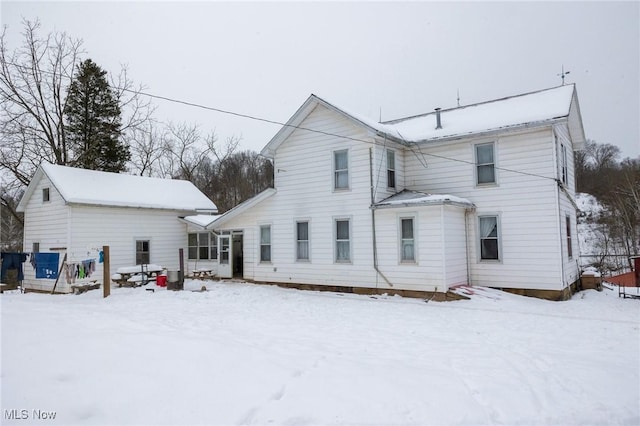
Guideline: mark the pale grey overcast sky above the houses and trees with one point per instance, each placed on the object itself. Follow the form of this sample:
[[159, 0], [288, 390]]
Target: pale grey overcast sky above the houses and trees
[[398, 59]]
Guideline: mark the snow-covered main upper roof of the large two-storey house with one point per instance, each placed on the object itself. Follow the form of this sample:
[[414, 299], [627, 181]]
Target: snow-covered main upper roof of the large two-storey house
[[525, 110]]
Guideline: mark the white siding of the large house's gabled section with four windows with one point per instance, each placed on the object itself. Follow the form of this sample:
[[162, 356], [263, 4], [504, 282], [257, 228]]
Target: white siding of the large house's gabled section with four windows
[[304, 181]]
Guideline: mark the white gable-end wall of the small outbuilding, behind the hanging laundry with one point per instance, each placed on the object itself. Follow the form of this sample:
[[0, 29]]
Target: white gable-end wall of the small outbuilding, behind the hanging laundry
[[46, 224]]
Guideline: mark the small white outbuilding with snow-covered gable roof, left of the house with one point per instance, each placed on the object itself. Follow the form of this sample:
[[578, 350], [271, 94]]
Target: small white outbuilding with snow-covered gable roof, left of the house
[[74, 212]]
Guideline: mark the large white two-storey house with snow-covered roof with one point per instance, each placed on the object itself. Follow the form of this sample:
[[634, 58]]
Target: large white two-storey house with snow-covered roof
[[480, 194]]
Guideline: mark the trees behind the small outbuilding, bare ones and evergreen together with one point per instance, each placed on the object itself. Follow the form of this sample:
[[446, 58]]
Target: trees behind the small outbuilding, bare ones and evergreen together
[[59, 107]]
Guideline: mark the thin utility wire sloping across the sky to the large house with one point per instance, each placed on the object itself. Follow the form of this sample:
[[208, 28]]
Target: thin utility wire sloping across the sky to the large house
[[407, 143]]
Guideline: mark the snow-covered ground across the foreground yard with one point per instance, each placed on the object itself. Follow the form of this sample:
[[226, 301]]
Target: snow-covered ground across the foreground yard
[[242, 354]]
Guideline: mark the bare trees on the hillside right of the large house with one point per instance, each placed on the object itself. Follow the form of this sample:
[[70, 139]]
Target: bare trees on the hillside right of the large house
[[616, 185]]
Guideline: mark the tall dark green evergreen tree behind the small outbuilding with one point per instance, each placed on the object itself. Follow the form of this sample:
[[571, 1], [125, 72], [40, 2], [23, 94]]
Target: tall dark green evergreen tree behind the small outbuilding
[[92, 122]]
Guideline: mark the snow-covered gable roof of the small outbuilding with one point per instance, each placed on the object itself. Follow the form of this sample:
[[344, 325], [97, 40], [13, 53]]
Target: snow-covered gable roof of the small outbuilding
[[81, 186]]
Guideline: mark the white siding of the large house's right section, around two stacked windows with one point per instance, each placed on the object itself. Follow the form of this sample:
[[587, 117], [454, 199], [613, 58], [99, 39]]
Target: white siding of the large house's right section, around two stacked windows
[[525, 204]]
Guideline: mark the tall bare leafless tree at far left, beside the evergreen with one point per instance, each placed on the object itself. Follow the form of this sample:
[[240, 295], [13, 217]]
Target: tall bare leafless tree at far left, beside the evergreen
[[33, 84]]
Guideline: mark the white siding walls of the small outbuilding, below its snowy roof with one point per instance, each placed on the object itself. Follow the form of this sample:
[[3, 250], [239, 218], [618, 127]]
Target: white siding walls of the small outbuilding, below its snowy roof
[[90, 228]]
